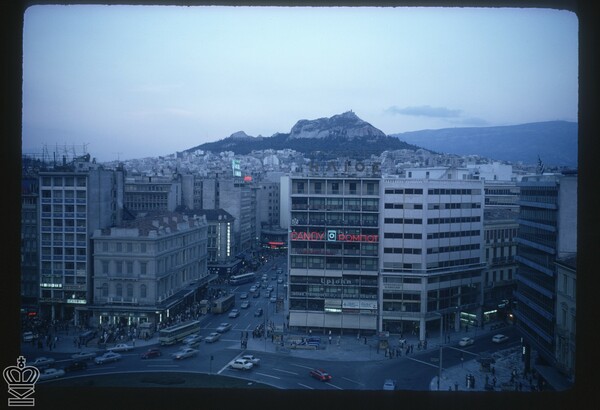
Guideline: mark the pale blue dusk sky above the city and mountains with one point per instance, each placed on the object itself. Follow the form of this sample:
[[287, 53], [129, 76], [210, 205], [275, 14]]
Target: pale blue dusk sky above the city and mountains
[[127, 82]]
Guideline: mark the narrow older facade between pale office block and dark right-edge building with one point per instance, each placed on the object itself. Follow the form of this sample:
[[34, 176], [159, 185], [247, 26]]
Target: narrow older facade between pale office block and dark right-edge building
[[499, 277]]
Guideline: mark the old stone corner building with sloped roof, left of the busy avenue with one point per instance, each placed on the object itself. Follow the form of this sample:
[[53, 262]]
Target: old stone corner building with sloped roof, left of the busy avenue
[[147, 269]]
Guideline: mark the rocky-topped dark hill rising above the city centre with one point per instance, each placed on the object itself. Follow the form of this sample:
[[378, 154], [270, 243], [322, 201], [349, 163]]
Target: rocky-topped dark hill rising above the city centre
[[343, 135]]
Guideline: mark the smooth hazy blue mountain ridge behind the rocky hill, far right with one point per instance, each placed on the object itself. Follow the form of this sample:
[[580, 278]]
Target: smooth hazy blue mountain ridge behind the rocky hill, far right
[[555, 142]]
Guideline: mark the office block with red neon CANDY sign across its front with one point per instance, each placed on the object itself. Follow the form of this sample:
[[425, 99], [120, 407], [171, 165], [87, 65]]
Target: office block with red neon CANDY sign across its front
[[333, 251]]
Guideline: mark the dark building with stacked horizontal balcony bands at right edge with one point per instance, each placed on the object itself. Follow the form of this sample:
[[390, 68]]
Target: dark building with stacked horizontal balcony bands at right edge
[[547, 231]]
